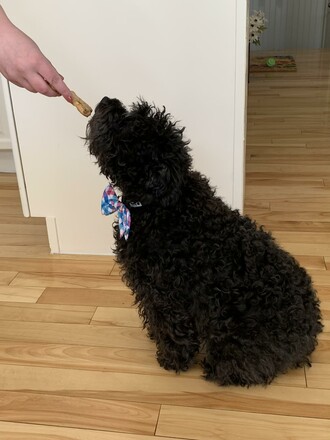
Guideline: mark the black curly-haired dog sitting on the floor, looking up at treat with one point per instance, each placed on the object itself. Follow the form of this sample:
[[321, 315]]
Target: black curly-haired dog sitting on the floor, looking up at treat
[[205, 278]]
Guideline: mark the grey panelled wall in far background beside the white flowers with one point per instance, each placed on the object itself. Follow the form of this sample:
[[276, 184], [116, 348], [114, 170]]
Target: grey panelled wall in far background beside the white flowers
[[292, 24]]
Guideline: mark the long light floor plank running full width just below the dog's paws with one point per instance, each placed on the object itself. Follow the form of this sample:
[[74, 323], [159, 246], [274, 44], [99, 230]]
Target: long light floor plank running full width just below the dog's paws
[[167, 388]]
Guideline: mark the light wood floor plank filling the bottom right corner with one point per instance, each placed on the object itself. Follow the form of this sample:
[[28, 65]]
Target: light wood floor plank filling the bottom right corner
[[201, 424]]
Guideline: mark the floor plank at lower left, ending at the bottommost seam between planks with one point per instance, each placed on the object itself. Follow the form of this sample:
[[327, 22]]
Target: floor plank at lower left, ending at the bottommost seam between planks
[[43, 409]]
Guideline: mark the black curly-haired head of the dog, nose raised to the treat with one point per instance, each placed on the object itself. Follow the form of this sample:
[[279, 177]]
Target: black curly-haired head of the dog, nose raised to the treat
[[141, 150]]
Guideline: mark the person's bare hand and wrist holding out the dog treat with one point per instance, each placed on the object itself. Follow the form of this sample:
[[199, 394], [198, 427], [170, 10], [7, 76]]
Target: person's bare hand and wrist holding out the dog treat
[[23, 64]]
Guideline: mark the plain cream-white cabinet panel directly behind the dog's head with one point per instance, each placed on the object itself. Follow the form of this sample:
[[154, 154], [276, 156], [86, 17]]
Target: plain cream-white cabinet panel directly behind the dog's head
[[189, 55]]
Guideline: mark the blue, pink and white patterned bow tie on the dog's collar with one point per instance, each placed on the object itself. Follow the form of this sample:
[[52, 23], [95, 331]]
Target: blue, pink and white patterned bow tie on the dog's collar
[[110, 203]]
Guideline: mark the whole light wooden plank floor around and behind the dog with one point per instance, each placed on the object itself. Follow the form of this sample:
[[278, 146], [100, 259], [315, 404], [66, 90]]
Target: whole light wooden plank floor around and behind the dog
[[74, 362]]
